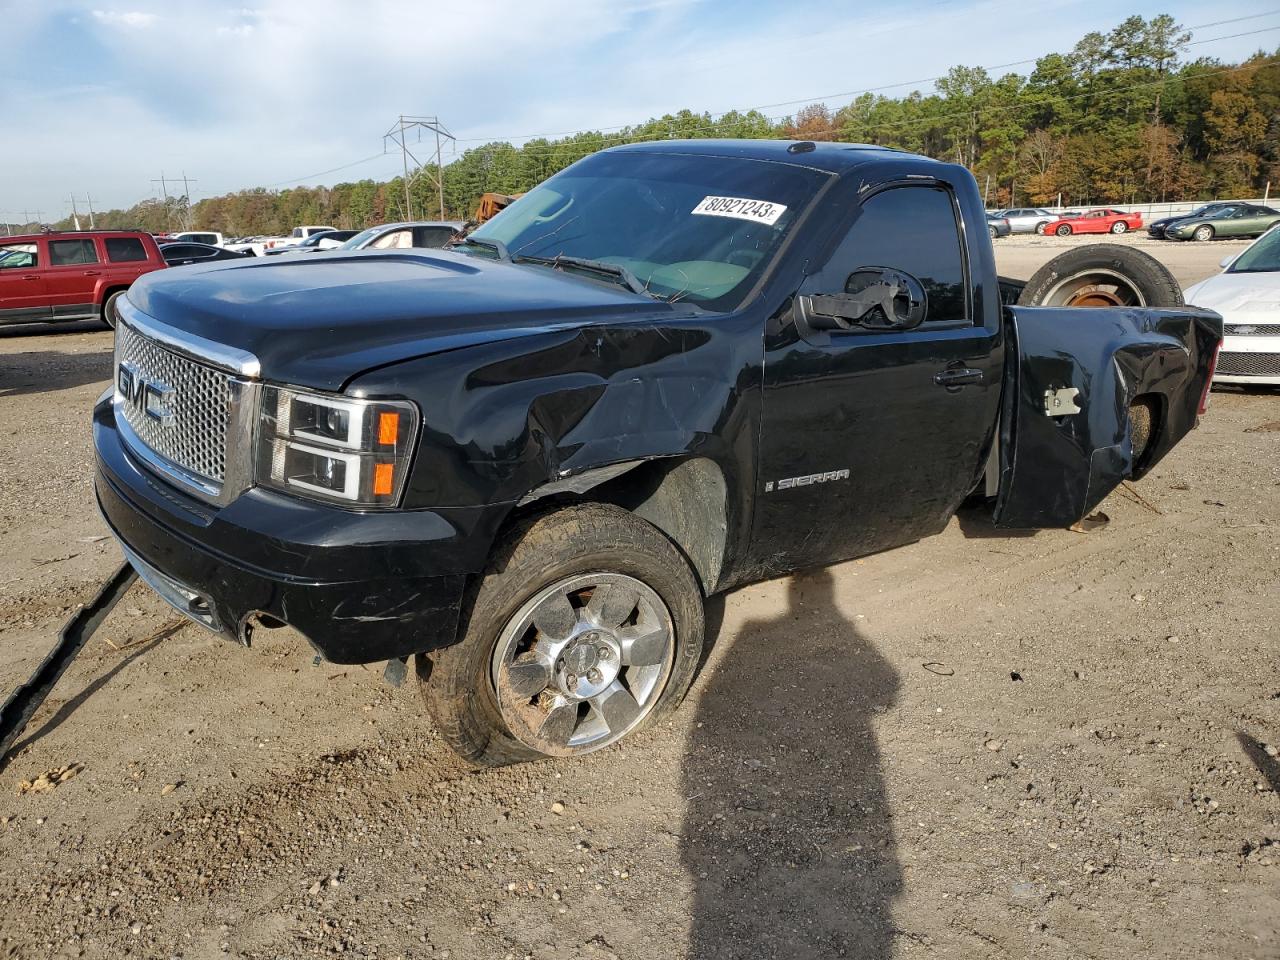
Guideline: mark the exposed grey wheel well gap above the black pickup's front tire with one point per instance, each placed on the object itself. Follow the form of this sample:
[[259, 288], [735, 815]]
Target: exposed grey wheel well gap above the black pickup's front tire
[[685, 500]]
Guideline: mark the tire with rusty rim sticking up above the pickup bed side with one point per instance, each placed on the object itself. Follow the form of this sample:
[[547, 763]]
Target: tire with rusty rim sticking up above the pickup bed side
[[1103, 276]]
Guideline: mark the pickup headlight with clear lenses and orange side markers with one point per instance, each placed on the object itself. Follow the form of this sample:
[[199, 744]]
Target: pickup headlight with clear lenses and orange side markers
[[336, 449]]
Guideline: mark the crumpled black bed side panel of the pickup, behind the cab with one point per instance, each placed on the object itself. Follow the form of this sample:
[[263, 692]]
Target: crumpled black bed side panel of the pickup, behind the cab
[[1072, 376]]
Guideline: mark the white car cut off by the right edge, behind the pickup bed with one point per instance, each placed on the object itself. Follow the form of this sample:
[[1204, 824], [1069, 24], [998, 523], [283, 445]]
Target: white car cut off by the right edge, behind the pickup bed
[[1247, 295]]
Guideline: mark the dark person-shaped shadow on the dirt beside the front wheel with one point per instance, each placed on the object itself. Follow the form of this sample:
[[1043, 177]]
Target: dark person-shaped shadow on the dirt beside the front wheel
[[788, 834]]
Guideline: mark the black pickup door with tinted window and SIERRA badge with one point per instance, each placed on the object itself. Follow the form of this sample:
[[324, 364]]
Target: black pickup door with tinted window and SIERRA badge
[[874, 436]]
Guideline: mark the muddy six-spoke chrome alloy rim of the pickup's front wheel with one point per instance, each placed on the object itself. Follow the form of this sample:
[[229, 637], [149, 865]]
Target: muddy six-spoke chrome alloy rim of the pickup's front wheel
[[583, 662]]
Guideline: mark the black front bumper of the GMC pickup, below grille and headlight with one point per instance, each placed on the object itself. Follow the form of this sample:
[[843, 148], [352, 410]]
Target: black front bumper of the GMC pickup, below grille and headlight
[[360, 587]]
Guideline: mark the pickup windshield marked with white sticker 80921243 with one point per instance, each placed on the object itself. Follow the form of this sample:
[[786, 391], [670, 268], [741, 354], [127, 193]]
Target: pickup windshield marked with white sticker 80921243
[[688, 228]]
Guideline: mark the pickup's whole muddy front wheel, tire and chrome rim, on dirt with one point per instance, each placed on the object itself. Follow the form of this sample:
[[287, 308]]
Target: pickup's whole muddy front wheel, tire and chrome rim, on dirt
[[587, 627]]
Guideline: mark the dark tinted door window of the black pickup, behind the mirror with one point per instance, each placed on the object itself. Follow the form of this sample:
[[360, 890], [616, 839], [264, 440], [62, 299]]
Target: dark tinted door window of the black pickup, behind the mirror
[[912, 230]]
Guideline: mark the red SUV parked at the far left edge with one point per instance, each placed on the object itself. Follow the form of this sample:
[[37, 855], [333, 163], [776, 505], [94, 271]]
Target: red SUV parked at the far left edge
[[48, 277]]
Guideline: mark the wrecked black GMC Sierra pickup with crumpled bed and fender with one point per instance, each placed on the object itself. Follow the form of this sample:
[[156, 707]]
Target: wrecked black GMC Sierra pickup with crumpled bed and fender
[[670, 371]]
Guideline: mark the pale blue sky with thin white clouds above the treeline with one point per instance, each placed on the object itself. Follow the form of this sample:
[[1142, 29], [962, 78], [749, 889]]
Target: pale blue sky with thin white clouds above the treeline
[[102, 98]]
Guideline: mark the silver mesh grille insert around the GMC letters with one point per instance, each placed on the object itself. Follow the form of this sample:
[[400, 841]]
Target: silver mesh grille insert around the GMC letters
[[196, 438]]
